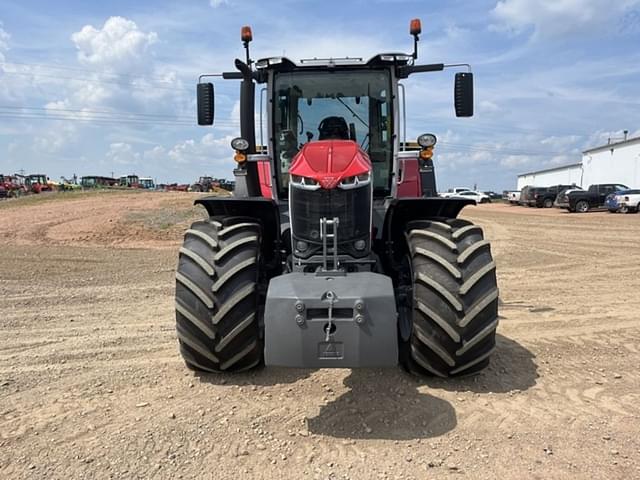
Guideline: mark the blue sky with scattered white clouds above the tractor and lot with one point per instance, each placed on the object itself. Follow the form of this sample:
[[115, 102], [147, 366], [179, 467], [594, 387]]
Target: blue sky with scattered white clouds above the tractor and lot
[[101, 87]]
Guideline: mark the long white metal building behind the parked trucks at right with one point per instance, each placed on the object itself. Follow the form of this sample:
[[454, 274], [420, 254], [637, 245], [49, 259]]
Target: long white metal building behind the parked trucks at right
[[617, 162]]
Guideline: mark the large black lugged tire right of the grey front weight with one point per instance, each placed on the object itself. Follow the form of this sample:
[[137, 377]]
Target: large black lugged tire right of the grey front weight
[[455, 299]]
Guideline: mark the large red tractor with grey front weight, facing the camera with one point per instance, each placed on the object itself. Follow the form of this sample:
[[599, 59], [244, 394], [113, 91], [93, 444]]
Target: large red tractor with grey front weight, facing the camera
[[334, 250]]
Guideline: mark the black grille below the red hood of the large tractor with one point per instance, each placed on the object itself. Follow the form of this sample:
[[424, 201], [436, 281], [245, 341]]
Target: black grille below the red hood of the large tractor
[[351, 206]]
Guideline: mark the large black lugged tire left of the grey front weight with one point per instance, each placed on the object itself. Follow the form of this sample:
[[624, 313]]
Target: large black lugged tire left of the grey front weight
[[218, 295]]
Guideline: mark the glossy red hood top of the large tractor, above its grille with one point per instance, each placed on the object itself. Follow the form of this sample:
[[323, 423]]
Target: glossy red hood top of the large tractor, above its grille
[[330, 161]]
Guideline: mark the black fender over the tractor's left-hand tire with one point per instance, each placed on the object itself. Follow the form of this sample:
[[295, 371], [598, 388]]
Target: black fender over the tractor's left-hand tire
[[264, 210]]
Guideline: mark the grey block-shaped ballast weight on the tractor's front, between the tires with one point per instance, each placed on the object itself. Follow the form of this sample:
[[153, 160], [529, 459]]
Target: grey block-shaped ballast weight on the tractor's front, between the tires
[[343, 321]]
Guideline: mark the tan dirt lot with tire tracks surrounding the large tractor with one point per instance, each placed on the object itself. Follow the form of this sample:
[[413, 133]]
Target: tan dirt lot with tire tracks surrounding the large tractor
[[92, 385]]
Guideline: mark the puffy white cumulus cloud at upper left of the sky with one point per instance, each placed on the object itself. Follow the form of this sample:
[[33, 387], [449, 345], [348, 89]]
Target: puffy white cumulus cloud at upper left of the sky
[[118, 46]]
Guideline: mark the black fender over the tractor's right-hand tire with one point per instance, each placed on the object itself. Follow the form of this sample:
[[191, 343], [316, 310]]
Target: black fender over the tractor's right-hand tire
[[401, 211]]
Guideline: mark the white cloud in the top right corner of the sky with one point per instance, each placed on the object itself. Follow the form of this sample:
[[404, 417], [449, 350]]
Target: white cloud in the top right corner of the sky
[[553, 18]]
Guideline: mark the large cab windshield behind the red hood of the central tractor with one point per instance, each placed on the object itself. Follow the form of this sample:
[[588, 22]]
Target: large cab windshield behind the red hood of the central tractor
[[347, 105]]
